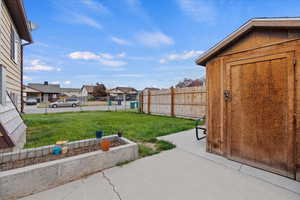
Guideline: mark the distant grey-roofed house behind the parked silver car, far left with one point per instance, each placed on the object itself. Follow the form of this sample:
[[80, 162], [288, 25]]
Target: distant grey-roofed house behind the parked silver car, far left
[[49, 92]]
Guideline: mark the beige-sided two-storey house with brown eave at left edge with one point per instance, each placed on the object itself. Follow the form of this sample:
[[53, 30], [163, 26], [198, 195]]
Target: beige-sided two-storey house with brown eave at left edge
[[14, 29]]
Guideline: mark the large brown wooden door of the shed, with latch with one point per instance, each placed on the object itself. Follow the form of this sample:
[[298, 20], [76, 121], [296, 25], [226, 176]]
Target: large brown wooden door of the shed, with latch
[[260, 112]]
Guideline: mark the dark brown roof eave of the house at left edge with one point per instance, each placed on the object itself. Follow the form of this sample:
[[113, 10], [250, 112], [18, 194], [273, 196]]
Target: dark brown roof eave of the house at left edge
[[18, 15]]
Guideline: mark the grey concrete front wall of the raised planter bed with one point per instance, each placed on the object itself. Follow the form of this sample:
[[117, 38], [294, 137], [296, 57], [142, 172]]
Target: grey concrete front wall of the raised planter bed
[[31, 179]]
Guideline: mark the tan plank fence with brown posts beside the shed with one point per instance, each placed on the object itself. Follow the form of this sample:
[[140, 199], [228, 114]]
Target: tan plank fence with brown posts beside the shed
[[178, 102]]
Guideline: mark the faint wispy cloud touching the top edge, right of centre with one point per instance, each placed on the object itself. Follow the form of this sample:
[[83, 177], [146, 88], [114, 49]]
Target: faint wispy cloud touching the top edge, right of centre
[[199, 10]]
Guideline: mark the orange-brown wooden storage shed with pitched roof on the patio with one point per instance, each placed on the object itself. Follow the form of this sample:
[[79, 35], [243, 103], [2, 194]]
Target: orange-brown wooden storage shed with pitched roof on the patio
[[253, 84]]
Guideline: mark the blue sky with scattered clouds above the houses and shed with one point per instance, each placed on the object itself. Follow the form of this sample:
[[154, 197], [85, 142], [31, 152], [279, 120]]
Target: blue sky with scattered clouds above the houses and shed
[[138, 43]]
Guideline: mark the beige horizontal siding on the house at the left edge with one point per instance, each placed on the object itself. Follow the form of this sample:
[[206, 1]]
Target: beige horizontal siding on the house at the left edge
[[13, 69]]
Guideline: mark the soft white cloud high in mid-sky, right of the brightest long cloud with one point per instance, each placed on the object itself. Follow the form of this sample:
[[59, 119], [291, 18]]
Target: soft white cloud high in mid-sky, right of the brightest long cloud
[[154, 39]]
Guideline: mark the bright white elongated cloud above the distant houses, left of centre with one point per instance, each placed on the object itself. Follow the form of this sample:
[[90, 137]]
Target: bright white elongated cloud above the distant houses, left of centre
[[103, 58]]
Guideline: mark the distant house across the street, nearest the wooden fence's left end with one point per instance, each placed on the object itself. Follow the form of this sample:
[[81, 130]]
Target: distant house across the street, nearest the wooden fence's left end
[[119, 92]]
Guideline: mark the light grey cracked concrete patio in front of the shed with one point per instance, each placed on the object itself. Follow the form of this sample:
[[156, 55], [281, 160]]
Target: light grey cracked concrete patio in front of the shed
[[187, 172]]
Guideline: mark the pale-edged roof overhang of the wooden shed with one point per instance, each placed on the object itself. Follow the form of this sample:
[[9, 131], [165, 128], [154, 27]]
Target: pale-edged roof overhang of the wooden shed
[[283, 22]]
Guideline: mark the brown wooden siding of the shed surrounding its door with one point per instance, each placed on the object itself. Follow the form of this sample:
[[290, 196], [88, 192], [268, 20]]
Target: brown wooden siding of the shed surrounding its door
[[252, 45]]
